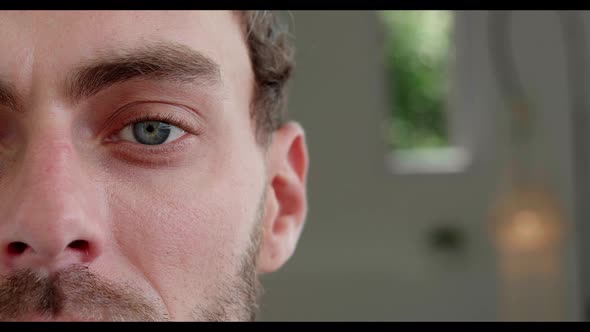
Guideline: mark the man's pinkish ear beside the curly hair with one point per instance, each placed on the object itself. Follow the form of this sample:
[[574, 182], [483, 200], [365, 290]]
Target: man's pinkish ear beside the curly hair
[[286, 199]]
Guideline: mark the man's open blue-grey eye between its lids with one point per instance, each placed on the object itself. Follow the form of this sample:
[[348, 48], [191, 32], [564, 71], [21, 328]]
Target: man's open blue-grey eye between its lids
[[151, 132]]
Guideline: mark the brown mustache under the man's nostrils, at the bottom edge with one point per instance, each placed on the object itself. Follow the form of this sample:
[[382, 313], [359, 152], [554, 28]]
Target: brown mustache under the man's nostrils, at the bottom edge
[[72, 292]]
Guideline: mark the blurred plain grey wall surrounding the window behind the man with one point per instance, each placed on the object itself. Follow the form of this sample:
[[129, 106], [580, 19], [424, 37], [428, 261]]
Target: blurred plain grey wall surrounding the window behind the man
[[364, 254]]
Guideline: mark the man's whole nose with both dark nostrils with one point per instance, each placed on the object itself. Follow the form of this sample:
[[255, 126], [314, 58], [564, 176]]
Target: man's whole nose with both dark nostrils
[[52, 215]]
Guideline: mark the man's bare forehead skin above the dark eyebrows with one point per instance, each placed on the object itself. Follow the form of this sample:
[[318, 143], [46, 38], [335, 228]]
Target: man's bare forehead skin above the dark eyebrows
[[41, 44]]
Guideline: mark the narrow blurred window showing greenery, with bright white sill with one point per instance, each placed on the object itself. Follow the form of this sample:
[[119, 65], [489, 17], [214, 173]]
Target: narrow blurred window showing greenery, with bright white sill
[[419, 57]]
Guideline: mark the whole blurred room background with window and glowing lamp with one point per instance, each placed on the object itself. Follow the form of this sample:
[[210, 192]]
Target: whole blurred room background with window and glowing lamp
[[449, 159]]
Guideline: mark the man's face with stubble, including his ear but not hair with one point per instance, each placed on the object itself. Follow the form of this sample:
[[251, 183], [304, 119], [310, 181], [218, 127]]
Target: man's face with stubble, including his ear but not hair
[[132, 184]]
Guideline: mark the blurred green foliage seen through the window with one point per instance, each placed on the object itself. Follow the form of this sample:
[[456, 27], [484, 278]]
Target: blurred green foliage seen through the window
[[418, 53]]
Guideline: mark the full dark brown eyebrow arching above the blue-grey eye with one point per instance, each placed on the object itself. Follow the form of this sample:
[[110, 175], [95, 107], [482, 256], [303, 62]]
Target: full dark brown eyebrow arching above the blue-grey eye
[[157, 61]]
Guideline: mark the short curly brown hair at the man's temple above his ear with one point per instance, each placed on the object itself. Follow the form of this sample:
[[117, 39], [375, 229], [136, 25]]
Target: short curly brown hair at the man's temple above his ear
[[272, 58]]
